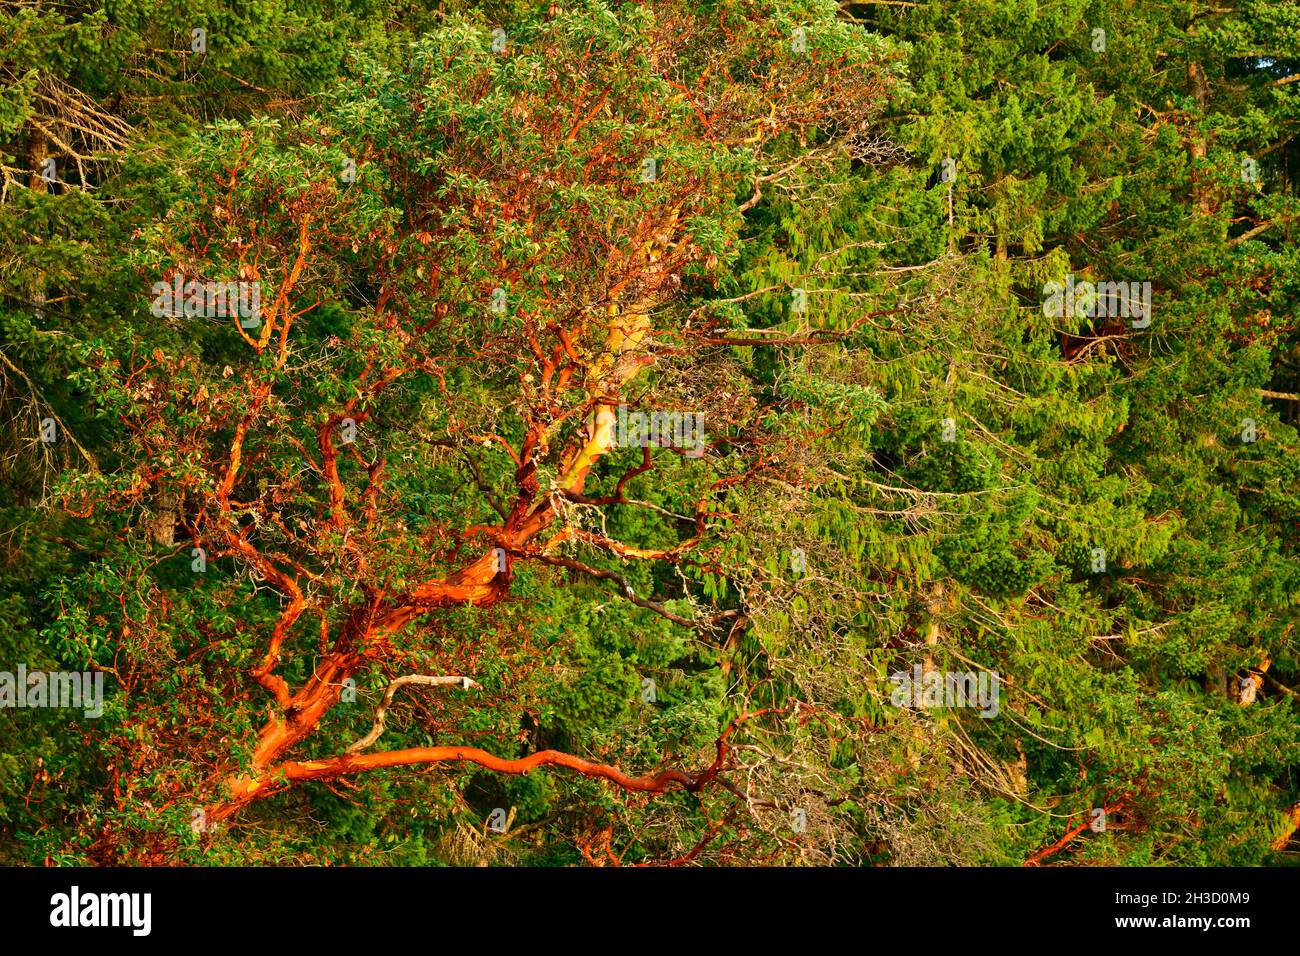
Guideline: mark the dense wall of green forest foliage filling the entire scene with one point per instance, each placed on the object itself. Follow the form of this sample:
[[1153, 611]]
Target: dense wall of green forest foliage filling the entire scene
[[839, 257]]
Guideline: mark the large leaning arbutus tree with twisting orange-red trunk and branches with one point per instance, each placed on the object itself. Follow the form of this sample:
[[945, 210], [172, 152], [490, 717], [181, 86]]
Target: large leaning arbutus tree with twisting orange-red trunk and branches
[[469, 275]]
